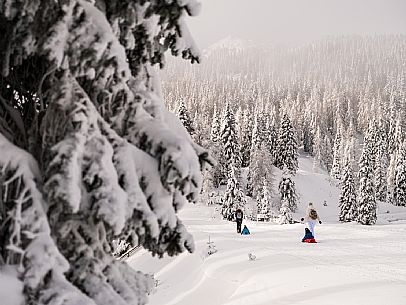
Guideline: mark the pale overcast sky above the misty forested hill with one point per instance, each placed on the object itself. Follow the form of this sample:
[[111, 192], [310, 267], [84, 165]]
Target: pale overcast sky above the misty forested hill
[[295, 21]]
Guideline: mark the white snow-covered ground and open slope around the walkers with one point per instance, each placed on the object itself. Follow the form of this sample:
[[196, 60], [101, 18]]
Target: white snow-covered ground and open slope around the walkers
[[351, 264]]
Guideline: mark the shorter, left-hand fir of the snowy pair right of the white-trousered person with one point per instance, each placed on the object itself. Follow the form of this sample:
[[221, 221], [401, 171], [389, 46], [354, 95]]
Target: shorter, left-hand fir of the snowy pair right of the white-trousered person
[[348, 198]]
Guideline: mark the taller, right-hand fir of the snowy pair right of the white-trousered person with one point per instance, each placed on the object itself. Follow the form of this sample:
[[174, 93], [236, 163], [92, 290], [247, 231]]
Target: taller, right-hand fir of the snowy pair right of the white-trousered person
[[366, 195]]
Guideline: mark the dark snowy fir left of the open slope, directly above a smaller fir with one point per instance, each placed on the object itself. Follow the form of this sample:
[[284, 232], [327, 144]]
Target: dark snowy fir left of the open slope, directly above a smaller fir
[[287, 147]]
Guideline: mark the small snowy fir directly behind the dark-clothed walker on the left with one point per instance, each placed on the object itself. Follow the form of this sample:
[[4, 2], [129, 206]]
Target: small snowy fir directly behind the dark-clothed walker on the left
[[234, 197]]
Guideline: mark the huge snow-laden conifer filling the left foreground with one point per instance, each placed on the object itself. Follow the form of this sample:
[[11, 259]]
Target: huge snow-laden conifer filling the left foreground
[[88, 152]]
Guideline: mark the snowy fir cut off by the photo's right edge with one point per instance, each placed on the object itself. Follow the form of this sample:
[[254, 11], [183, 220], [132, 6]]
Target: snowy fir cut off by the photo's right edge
[[399, 196]]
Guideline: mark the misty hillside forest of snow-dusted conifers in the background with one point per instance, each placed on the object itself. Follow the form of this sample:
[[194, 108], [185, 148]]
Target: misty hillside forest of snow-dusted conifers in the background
[[345, 98]]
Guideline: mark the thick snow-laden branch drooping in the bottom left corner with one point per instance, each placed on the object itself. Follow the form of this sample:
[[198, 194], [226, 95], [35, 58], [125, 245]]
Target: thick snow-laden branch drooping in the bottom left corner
[[30, 239]]
